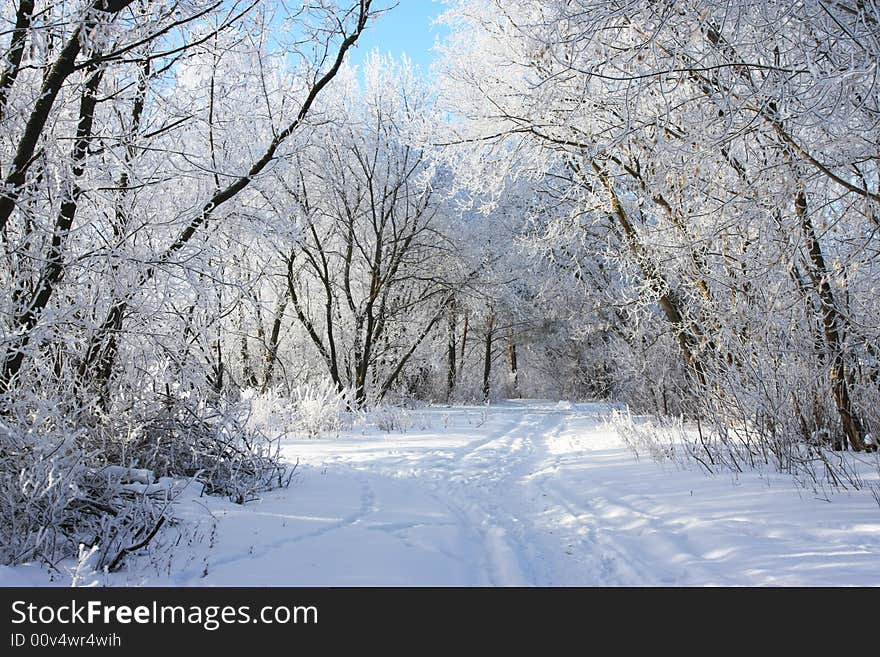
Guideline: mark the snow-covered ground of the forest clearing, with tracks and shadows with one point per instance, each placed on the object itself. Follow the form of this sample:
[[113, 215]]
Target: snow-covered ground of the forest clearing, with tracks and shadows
[[520, 493]]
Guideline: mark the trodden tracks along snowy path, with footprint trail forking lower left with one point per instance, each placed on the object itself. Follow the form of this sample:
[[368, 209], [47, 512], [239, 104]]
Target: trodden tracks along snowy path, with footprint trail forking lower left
[[521, 523]]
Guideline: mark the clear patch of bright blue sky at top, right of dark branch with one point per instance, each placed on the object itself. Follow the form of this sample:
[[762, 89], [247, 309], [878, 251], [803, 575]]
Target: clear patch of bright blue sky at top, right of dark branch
[[405, 29]]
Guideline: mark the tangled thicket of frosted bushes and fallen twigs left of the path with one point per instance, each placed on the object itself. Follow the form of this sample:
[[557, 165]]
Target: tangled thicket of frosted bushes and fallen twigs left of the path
[[104, 482]]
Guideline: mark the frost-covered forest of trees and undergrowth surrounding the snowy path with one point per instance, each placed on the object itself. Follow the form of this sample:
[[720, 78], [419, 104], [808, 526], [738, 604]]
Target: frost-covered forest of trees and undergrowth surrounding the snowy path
[[206, 209]]
